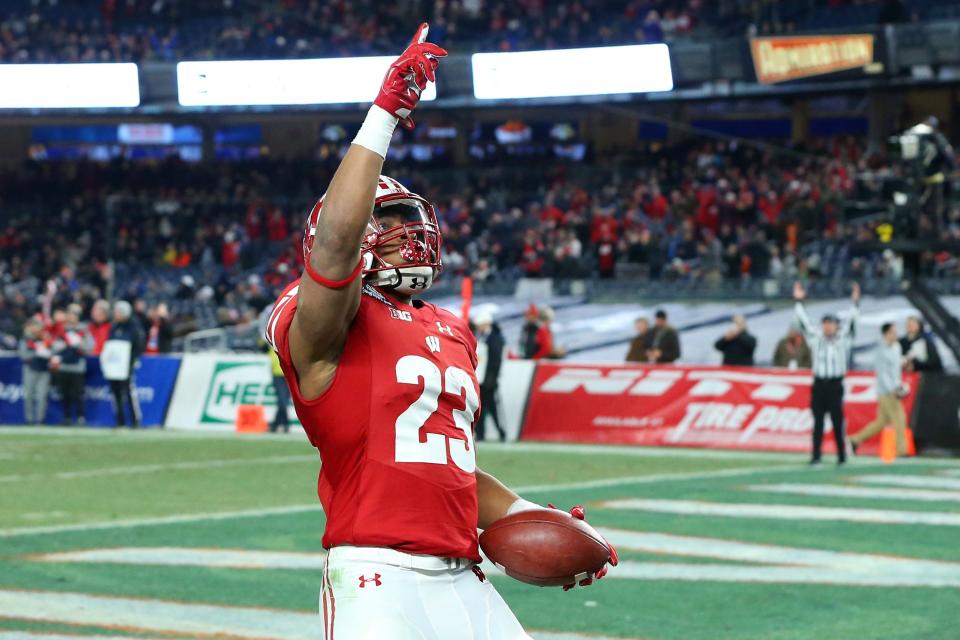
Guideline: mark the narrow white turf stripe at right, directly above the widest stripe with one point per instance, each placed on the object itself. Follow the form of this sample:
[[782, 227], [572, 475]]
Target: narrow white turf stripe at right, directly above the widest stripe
[[784, 512]]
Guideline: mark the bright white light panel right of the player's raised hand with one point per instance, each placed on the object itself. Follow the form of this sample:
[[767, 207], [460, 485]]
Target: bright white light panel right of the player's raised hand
[[572, 72]]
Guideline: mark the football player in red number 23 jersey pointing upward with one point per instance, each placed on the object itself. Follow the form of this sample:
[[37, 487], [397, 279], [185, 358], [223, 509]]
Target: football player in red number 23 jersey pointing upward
[[386, 389]]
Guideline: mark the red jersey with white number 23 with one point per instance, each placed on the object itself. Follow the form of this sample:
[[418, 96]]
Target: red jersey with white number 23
[[395, 427]]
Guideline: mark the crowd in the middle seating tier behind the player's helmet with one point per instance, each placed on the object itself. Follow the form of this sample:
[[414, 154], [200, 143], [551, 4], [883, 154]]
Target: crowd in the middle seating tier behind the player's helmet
[[216, 240]]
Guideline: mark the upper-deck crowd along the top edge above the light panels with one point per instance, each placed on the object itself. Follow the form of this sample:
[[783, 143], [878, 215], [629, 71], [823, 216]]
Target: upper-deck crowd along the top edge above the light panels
[[164, 30]]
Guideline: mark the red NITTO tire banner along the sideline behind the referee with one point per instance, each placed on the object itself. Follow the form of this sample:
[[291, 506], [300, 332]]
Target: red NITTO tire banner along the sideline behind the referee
[[727, 407]]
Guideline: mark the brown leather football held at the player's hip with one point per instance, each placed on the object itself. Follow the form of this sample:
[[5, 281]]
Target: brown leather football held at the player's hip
[[544, 547]]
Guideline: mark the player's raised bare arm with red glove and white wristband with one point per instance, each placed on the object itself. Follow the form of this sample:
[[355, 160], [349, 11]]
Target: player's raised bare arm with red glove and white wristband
[[329, 293]]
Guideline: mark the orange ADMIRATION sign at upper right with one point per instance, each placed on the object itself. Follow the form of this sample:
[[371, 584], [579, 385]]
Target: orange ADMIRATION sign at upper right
[[778, 59]]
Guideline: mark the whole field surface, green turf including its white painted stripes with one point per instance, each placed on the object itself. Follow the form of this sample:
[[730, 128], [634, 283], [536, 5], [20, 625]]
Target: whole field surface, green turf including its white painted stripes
[[895, 573]]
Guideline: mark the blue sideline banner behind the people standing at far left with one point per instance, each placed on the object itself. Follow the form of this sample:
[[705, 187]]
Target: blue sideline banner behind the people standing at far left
[[154, 378]]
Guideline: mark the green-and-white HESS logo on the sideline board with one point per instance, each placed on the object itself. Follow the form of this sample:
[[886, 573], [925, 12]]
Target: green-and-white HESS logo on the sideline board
[[234, 384]]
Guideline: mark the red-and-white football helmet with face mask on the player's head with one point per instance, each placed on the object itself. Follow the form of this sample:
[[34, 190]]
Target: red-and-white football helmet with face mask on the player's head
[[404, 229]]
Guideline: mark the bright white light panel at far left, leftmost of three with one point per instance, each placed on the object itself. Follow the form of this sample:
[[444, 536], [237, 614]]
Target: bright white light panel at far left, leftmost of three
[[66, 86]]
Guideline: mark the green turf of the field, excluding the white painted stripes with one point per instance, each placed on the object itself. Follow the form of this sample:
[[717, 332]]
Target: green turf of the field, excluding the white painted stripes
[[155, 475]]
